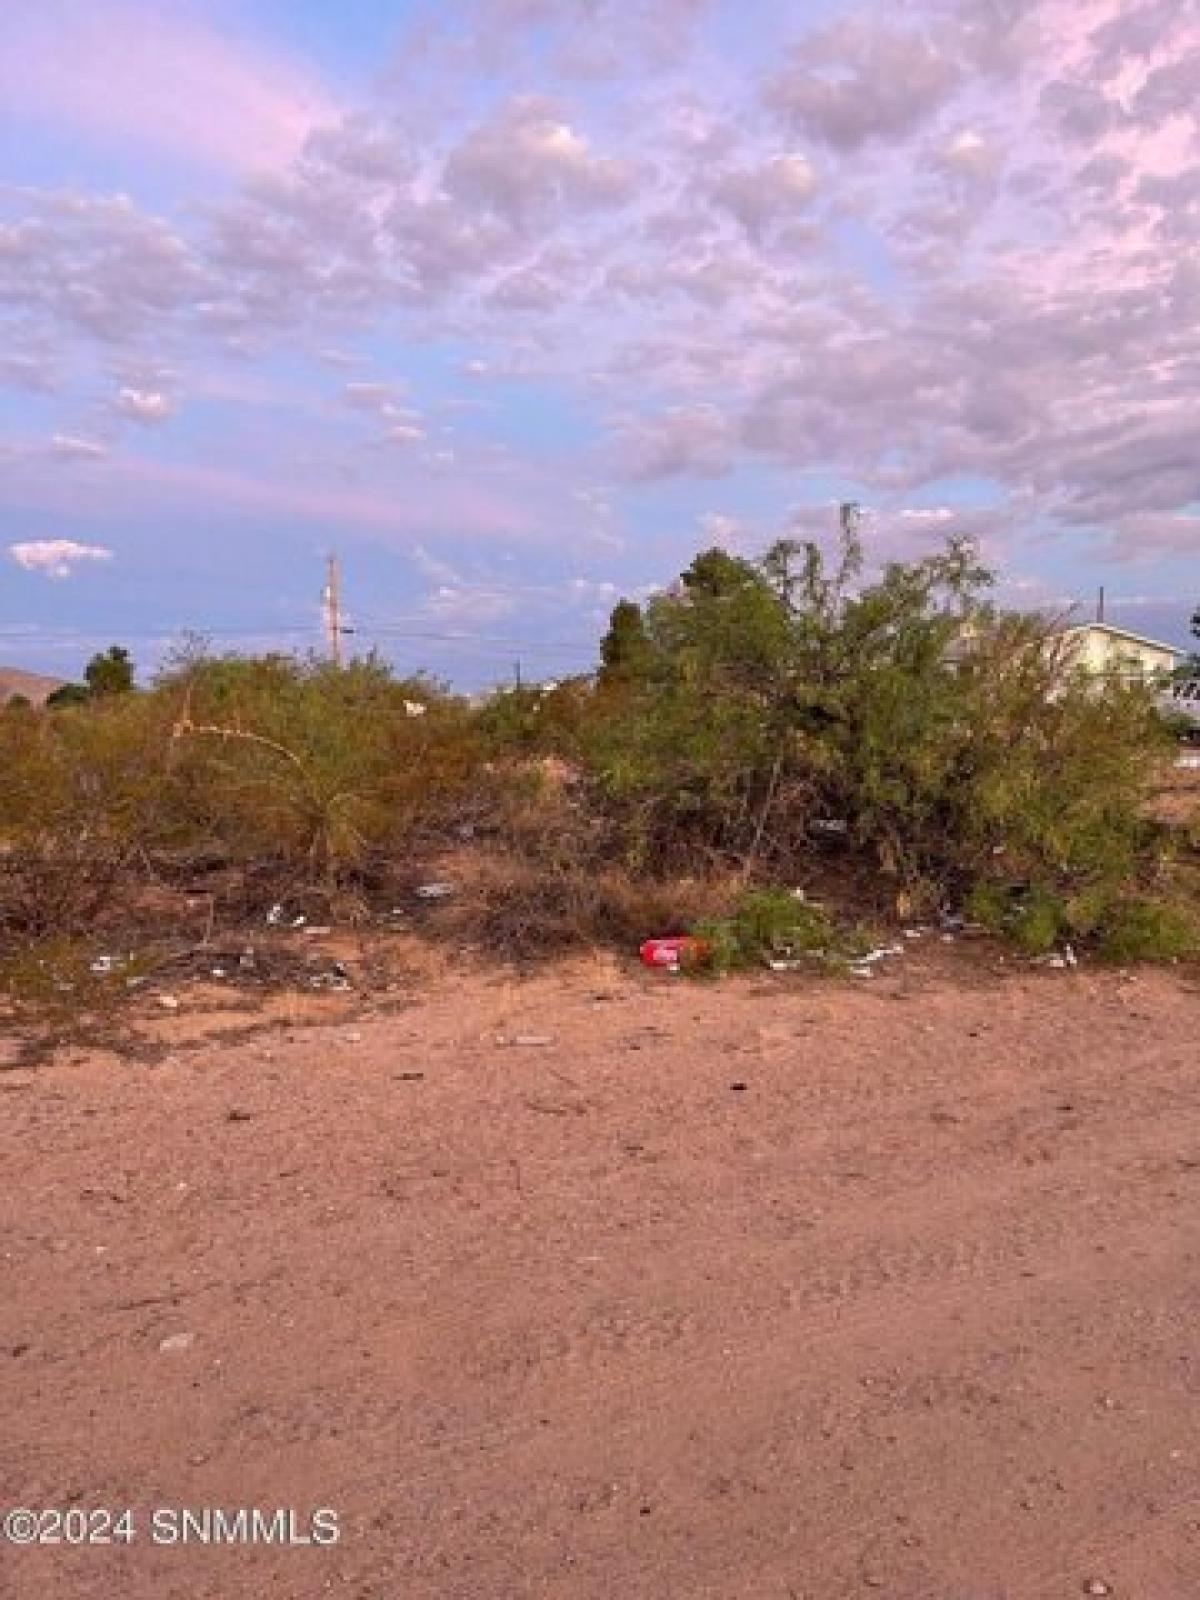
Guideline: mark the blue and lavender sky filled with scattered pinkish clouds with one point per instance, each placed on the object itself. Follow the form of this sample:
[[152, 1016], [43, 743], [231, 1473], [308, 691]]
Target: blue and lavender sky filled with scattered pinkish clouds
[[516, 305]]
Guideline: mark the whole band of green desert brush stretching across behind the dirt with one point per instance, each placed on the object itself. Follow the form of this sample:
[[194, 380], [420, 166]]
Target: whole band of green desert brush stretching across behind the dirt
[[759, 722]]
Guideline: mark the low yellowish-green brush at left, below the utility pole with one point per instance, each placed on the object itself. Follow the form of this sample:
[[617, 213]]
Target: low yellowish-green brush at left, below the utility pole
[[289, 767]]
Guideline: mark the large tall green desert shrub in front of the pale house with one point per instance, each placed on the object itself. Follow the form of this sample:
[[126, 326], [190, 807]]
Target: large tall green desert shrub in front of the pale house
[[946, 737]]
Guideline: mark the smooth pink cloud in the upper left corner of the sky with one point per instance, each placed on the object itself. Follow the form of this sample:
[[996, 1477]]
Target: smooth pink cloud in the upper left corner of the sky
[[161, 78]]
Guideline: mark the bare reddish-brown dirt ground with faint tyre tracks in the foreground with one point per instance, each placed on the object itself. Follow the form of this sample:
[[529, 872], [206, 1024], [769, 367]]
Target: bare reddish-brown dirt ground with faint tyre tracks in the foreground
[[740, 1290]]
